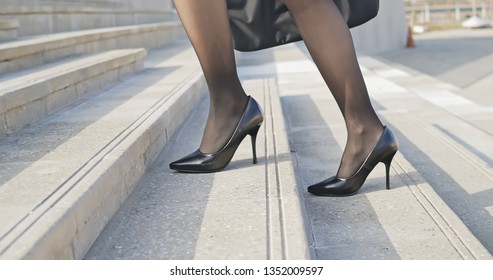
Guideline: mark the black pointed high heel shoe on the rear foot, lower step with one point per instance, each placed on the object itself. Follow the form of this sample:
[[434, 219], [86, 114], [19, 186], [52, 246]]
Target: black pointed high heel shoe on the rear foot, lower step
[[384, 151]]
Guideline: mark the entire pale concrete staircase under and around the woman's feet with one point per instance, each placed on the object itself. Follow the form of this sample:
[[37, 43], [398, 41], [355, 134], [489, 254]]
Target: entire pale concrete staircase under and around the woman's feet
[[91, 118]]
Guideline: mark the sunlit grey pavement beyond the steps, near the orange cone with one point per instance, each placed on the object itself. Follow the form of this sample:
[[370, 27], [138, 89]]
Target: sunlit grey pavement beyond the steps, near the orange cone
[[463, 58]]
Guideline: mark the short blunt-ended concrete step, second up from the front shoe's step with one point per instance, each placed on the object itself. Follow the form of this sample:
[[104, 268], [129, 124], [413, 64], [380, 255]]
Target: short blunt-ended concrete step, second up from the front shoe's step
[[30, 95]]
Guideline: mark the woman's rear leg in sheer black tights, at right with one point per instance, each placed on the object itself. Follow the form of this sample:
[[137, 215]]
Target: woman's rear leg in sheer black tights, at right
[[329, 42]]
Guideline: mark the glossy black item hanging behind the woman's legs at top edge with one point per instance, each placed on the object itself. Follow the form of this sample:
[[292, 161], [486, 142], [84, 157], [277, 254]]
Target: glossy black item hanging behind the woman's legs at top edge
[[261, 24]]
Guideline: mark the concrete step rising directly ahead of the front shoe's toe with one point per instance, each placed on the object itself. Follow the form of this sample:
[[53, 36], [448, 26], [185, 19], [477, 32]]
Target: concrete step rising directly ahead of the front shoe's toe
[[62, 179]]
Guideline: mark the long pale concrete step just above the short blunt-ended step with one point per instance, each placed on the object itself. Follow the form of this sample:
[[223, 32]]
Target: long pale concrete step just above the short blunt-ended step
[[32, 51]]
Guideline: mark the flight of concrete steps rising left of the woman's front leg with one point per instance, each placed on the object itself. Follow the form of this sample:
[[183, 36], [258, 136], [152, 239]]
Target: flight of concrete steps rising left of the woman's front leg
[[83, 114]]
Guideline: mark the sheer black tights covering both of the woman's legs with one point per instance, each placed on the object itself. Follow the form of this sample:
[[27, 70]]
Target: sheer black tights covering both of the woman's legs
[[330, 45]]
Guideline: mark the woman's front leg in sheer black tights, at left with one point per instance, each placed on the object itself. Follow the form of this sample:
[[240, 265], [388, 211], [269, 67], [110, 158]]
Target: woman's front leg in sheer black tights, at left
[[207, 26]]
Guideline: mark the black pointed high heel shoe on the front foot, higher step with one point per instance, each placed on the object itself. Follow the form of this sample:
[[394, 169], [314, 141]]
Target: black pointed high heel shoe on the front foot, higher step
[[249, 124]]
